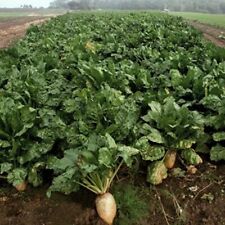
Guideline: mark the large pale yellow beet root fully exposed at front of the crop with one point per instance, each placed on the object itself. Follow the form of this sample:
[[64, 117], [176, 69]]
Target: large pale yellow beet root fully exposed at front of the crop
[[106, 207]]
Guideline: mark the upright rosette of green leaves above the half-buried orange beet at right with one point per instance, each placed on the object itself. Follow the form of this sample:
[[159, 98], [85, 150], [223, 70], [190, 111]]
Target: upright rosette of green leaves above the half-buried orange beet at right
[[170, 124]]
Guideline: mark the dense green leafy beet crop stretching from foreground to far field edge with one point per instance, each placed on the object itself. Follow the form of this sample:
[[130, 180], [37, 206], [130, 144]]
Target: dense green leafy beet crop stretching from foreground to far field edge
[[86, 94]]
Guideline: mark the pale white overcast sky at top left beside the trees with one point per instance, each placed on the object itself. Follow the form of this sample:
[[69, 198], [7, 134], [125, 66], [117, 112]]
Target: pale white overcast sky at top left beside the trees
[[17, 3]]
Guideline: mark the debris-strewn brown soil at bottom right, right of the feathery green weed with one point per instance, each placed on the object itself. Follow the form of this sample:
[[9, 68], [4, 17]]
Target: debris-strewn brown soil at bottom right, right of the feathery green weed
[[194, 199]]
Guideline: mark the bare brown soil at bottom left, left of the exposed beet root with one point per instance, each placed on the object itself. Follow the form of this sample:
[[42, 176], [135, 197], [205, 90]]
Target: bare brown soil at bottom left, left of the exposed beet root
[[34, 208]]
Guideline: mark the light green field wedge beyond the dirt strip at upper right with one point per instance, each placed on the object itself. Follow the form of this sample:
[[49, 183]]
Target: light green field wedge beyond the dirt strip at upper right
[[213, 19]]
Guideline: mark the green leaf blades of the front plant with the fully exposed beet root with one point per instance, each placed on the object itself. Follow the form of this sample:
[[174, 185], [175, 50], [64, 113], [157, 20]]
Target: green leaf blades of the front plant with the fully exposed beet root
[[96, 155]]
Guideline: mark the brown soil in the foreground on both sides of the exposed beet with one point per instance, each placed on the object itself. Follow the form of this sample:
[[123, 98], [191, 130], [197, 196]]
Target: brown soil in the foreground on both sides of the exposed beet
[[190, 200]]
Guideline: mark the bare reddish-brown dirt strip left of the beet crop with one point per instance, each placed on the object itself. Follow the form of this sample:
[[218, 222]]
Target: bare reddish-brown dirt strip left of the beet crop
[[13, 30]]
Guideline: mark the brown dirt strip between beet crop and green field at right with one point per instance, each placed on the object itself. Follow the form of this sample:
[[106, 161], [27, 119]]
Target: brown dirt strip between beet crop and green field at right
[[210, 33]]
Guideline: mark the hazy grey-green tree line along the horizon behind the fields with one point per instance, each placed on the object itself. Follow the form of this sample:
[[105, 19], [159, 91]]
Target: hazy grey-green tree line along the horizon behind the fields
[[211, 6]]
